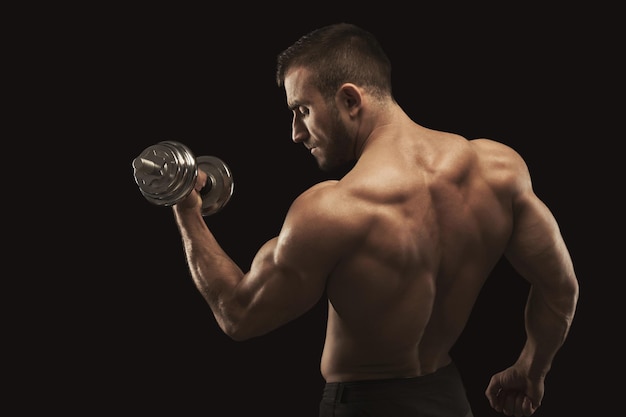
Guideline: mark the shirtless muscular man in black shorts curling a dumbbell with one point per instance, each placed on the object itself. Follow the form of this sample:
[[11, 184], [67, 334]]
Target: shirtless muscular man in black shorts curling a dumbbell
[[401, 245]]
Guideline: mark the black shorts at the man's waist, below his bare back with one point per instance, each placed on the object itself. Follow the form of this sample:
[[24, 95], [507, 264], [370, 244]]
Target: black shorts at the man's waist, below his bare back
[[440, 394]]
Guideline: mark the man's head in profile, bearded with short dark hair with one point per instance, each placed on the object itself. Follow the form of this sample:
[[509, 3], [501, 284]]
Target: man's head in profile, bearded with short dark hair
[[330, 76]]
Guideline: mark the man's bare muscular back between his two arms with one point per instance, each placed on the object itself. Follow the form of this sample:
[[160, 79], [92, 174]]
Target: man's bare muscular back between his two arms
[[434, 215]]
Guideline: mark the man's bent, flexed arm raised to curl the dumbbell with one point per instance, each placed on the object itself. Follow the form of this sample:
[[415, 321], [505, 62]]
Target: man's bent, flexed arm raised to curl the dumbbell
[[286, 278]]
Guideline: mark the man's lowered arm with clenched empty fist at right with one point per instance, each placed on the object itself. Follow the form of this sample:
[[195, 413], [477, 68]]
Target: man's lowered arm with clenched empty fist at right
[[538, 252]]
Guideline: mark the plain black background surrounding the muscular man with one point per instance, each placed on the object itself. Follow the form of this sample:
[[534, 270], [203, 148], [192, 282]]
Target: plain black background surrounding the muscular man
[[111, 323]]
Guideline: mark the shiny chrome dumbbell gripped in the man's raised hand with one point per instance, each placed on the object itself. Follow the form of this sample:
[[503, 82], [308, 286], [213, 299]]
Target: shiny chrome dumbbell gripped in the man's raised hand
[[166, 173]]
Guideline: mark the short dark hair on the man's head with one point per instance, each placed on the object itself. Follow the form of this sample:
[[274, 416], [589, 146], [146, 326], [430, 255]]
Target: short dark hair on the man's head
[[337, 54]]
